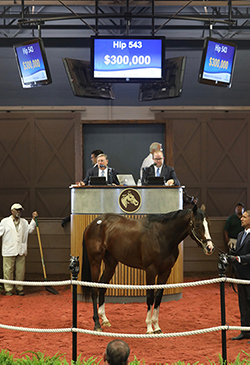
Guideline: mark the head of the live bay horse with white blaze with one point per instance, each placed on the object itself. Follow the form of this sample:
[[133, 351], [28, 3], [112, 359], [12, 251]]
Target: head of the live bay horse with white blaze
[[199, 229]]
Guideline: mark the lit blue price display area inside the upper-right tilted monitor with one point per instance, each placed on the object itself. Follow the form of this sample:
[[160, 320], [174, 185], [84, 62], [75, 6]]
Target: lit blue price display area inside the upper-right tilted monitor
[[219, 62]]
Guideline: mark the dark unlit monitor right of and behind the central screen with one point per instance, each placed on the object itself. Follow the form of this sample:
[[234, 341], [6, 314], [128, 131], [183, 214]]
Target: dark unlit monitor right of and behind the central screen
[[172, 85]]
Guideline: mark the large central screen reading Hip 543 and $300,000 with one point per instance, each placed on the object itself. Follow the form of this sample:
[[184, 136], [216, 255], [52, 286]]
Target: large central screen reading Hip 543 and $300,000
[[127, 59]]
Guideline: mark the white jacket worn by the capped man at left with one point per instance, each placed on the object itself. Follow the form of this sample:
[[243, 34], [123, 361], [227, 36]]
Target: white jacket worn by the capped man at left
[[14, 242]]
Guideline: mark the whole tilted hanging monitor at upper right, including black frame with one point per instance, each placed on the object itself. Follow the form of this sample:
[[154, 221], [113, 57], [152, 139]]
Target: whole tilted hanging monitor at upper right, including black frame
[[217, 63]]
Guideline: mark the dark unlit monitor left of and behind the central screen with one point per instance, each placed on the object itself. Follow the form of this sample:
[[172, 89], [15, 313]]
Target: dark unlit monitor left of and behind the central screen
[[78, 73]]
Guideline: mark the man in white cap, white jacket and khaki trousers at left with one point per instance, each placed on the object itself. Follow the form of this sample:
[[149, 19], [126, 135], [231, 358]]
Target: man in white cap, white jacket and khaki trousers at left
[[15, 230]]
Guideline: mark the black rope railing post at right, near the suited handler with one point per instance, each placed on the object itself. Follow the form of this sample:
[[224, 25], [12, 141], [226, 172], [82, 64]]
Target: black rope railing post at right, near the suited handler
[[222, 265]]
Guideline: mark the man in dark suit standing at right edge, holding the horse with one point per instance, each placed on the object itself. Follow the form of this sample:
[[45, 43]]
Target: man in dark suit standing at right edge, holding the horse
[[241, 262]]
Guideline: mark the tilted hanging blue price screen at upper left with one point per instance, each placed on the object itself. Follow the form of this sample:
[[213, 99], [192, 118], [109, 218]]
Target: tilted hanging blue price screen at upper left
[[32, 63]]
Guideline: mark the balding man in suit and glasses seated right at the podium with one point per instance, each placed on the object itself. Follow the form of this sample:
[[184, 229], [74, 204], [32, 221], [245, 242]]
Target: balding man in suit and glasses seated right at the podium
[[158, 168]]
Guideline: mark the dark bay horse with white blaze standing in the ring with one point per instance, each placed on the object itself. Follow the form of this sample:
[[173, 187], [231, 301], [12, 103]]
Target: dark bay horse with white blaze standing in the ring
[[150, 243]]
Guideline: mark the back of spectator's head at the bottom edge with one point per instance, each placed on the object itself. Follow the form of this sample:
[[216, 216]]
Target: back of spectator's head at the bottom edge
[[117, 353]]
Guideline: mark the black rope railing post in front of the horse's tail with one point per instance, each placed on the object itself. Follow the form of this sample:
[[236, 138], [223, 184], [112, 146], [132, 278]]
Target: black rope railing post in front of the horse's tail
[[74, 267]]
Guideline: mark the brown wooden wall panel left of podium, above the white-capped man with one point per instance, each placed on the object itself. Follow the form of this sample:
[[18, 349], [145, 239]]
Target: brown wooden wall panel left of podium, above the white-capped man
[[37, 161]]
